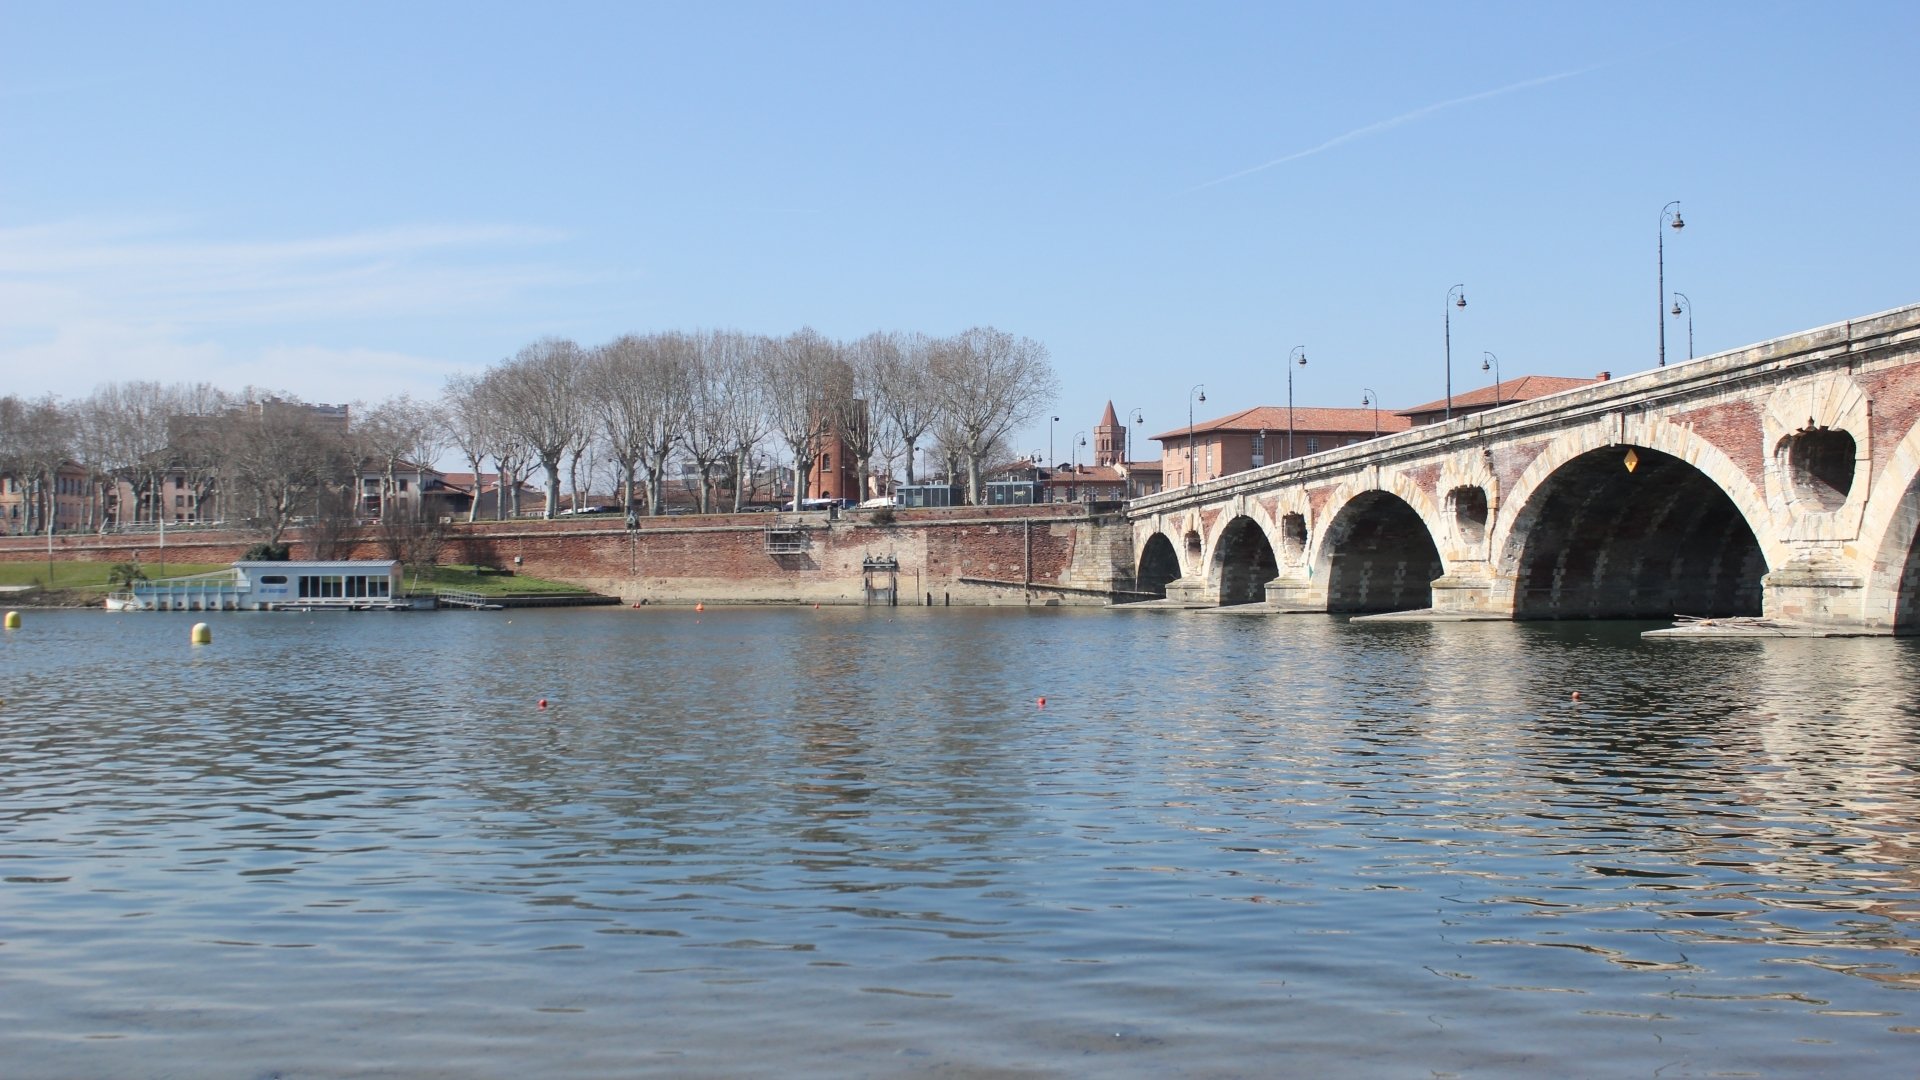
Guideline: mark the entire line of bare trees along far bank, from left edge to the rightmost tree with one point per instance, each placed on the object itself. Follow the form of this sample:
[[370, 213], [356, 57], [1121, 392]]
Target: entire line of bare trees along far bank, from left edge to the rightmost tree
[[633, 412]]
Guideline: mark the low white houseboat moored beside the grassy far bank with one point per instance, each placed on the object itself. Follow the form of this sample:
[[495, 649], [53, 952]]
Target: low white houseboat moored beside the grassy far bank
[[329, 585]]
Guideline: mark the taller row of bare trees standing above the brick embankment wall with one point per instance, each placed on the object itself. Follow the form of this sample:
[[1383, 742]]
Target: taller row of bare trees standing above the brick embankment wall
[[713, 401]]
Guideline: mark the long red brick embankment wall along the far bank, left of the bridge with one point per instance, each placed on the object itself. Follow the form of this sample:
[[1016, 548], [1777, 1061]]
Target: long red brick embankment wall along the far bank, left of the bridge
[[1042, 554]]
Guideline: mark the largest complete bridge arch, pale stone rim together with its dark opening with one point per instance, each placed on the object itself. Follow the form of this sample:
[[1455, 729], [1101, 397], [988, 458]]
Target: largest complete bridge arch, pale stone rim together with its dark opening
[[1650, 526]]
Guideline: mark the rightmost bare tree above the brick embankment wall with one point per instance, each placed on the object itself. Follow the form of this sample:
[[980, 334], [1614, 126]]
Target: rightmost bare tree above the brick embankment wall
[[988, 383]]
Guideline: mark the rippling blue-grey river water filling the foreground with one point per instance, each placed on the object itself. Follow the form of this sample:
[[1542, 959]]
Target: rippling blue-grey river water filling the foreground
[[852, 843]]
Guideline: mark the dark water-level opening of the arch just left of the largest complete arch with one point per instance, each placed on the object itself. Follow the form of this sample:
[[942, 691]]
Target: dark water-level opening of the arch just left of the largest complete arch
[[1383, 558]]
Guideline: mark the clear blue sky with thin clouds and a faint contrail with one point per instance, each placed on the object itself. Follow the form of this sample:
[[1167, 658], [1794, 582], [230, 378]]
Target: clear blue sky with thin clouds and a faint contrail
[[348, 201]]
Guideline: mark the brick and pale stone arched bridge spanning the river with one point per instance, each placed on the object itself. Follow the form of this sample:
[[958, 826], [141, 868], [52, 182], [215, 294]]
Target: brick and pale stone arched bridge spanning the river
[[1775, 481]]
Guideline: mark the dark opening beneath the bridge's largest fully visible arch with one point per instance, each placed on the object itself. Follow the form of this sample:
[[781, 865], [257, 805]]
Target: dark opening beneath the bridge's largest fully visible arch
[[1648, 543]]
